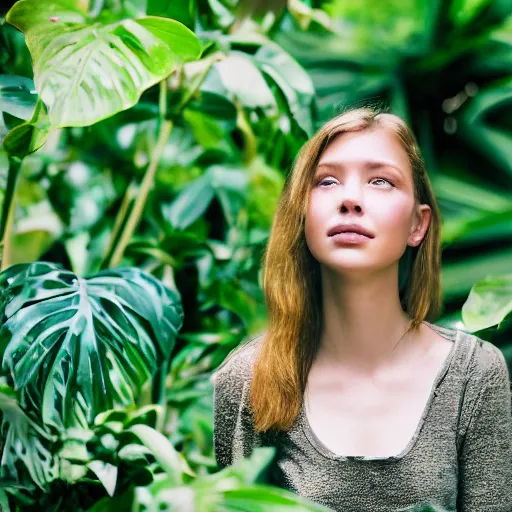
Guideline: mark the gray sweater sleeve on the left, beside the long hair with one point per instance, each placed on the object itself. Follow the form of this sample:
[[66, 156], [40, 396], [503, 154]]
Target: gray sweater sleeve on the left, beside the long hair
[[234, 436]]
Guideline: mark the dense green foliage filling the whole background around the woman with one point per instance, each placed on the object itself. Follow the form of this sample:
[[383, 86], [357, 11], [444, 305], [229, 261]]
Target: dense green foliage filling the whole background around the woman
[[144, 147]]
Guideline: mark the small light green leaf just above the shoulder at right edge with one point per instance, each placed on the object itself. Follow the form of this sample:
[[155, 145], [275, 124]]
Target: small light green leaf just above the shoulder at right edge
[[489, 302]]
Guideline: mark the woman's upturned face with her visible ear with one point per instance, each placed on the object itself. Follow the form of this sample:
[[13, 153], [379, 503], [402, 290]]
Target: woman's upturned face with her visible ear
[[364, 178]]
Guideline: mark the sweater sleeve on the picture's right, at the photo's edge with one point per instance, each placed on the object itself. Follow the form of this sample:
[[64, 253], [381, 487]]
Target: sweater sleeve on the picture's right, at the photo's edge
[[485, 461]]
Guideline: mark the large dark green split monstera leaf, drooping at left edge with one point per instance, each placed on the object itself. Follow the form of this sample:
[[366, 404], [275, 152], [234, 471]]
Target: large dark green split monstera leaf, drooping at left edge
[[75, 347]]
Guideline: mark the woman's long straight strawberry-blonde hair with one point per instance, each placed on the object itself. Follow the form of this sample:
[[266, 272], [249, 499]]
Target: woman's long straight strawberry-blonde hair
[[291, 278]]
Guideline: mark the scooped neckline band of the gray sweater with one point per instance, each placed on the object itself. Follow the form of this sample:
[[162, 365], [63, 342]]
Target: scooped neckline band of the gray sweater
[[453, 335]]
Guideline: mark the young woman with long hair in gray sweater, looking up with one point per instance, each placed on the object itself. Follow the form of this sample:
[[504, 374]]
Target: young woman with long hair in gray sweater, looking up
[[370, 406]]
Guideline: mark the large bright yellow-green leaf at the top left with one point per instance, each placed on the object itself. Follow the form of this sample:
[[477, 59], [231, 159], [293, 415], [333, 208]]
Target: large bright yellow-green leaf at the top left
[[85, 71]]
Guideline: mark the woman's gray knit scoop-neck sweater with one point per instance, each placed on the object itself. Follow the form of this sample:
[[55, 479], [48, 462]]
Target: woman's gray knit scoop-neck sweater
[[459, 459]]
